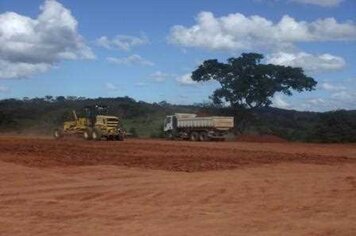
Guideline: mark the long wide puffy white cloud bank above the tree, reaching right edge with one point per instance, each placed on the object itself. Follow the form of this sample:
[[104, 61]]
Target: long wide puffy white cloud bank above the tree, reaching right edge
[[240, 32]]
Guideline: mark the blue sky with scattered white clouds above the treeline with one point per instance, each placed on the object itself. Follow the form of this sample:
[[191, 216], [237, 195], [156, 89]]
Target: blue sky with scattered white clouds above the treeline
[[147, 49]]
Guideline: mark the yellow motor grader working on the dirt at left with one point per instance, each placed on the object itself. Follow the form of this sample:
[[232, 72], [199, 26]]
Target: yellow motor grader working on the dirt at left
[[94, 125]]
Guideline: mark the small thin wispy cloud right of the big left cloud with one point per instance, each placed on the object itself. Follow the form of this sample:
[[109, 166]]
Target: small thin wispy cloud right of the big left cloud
[[122, 42]]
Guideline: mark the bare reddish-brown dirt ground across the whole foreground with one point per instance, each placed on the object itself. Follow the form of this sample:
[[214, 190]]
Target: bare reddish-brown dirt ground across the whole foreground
[[156, 187]]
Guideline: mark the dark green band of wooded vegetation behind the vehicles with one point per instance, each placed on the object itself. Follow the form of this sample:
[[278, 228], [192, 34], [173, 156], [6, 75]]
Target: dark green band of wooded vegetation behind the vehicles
[[42, 115]]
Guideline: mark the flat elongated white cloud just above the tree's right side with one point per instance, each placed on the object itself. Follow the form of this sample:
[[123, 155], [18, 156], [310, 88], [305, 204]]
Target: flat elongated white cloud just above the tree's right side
[[309, 62]]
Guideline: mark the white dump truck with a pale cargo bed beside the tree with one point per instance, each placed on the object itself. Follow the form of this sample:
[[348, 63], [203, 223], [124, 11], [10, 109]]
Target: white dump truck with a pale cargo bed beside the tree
[[195, 128]]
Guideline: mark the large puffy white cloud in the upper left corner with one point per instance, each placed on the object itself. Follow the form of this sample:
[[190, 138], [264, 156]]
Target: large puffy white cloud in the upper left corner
[[29, 46]]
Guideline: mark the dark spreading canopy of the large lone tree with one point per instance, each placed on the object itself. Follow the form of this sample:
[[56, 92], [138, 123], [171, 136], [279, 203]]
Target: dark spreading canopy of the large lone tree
[[245, 82]]
